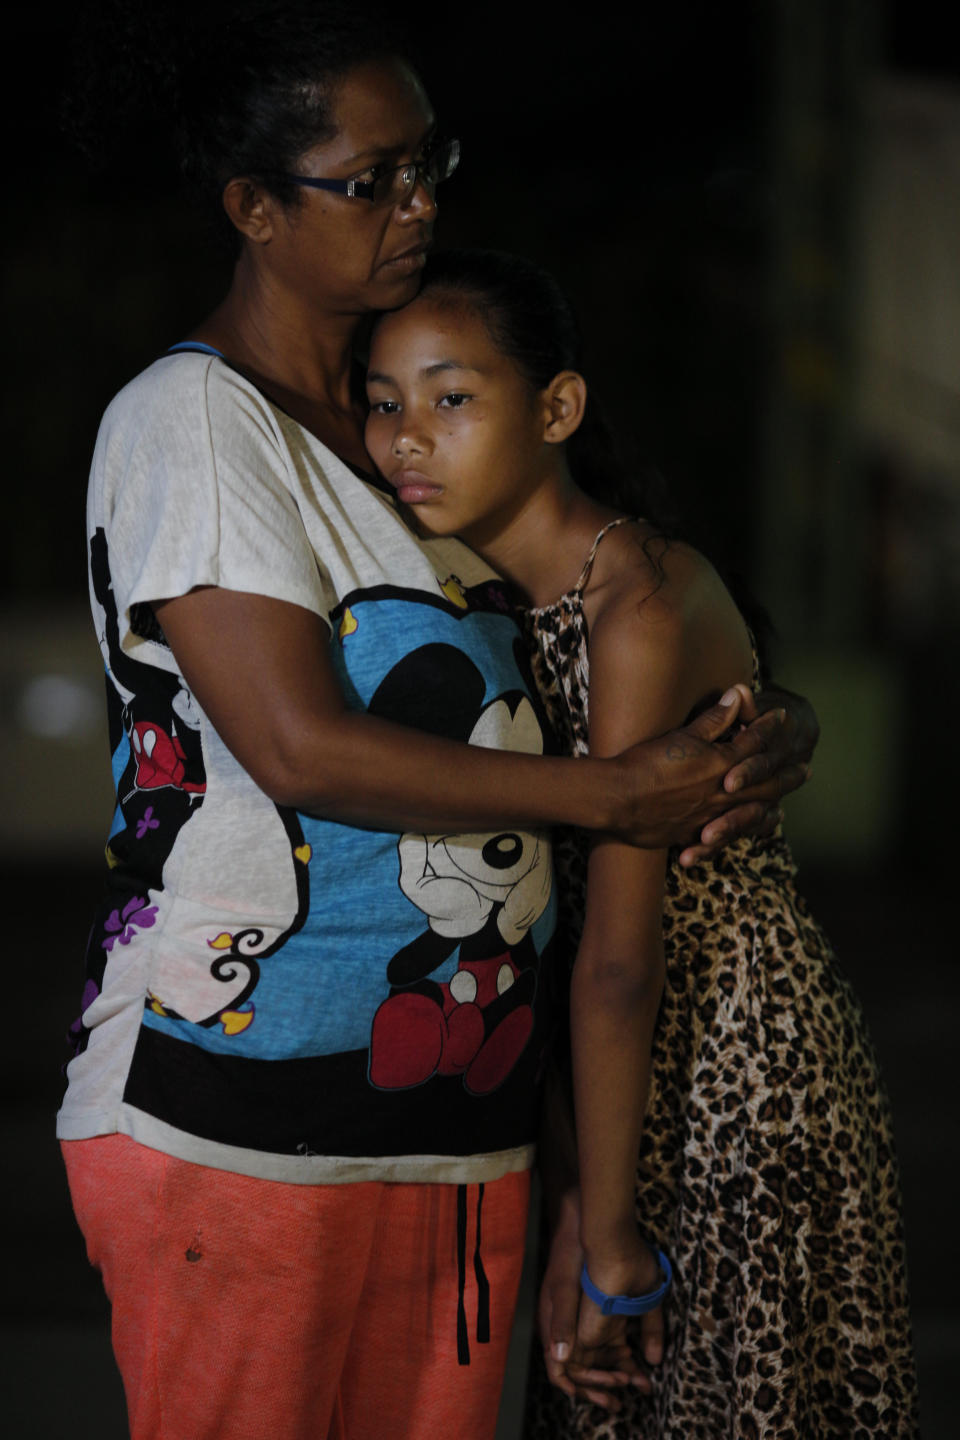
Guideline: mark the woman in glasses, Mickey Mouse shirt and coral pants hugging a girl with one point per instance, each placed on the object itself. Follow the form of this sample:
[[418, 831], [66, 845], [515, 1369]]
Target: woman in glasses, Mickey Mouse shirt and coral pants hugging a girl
[[304, 1088]]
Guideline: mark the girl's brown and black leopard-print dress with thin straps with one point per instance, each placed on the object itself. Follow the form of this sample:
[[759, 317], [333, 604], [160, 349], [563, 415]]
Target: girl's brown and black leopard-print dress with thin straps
[[766, 1169]]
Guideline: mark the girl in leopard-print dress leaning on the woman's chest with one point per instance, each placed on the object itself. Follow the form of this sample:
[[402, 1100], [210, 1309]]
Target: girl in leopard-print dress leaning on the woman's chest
[[712, 1032]]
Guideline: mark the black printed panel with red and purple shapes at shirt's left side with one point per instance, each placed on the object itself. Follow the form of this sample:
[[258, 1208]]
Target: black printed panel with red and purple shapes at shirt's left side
[[159, 775]]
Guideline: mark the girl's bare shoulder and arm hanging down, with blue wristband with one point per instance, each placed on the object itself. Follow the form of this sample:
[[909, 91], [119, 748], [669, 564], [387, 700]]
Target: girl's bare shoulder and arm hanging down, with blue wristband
[[650, 665]]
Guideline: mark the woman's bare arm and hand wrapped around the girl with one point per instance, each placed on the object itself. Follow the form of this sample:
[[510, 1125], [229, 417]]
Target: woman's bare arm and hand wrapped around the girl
[[261, 670]]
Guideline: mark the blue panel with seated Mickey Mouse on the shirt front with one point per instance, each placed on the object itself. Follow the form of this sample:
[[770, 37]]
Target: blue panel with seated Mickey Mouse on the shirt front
[[424, 948]]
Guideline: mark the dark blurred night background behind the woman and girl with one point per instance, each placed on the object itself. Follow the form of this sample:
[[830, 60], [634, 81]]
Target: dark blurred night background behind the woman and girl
[[667, 168]]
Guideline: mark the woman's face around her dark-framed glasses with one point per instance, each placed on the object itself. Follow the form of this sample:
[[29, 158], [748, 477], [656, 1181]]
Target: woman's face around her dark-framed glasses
[[349, 254]]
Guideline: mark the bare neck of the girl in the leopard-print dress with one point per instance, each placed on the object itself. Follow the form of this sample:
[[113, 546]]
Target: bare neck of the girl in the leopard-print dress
[[542, 549]]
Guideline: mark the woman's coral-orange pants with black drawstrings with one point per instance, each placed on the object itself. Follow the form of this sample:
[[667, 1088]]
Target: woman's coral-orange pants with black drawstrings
[[248, 1310]]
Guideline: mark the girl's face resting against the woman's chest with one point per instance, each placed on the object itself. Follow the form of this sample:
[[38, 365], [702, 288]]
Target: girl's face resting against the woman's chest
[[454, 426]]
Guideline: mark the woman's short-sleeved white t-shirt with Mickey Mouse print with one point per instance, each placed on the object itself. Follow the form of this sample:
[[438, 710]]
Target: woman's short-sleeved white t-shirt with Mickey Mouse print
[[268, 991]]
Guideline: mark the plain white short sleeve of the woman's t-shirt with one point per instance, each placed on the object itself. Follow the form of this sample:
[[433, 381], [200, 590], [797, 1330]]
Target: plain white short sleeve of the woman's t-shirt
[[192, 486]]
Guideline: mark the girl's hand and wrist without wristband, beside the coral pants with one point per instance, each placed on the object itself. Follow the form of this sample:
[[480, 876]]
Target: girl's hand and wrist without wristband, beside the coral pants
[[559, 1315]]
